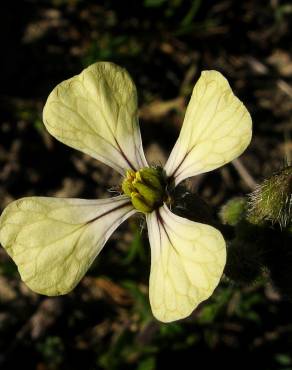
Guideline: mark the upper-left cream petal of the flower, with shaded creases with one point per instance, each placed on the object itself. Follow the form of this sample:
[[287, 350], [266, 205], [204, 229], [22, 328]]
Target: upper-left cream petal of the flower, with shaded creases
[[96, 112]]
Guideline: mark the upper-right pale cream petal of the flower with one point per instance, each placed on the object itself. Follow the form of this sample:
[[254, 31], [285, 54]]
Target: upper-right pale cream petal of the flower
[[216, 129]]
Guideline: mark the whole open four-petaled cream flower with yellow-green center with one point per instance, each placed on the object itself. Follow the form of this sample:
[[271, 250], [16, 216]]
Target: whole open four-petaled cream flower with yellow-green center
[[53, 241]]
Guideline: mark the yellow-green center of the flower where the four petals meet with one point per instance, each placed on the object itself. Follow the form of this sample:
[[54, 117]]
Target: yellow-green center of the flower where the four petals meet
[[146, 188]]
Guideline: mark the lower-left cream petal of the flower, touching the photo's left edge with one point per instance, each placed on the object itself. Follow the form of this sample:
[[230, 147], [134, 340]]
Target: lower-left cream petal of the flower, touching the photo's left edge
[[53, 241]]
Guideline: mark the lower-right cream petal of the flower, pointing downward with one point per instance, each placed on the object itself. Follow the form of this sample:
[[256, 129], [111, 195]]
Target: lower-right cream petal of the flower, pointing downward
[[187, 262]]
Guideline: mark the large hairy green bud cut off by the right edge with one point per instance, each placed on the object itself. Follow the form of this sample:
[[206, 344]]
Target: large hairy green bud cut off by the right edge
[[272, 200]]
